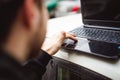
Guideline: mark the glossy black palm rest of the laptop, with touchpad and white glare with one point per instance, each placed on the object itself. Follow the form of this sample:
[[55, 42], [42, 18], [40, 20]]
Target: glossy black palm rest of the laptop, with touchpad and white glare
[[99, 48]]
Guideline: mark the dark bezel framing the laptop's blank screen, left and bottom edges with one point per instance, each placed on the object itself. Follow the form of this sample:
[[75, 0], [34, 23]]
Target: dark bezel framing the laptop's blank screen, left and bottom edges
[[103, 23]]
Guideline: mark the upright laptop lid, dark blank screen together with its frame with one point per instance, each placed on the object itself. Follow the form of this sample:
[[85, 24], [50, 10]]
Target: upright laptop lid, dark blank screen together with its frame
[[101, 12]]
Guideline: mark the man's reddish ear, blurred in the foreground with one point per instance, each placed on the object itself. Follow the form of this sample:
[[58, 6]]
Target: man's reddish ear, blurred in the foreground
[[28, 13]]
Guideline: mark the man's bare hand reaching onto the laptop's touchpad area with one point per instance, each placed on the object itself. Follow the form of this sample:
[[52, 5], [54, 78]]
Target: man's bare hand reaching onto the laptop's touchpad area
[[54, 44]]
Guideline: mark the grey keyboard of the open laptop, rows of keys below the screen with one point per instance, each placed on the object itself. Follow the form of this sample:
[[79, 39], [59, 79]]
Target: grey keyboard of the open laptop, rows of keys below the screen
[[98, 34]]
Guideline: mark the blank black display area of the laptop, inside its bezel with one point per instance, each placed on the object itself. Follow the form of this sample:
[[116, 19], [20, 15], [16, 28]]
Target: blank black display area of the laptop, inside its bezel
[[101, 9]]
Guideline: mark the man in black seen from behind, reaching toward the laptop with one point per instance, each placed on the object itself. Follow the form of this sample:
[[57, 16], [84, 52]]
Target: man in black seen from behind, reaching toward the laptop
[[22, 33]]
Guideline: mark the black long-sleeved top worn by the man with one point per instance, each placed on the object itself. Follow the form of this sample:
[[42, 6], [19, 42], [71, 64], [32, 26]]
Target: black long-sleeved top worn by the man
[[10, 69]]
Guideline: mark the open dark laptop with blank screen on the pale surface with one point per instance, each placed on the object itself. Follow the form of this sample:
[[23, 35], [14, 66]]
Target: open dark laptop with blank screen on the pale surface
[[100, 34]]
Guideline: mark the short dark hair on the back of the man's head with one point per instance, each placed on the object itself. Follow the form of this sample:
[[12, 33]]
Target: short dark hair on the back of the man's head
[[8, 12]]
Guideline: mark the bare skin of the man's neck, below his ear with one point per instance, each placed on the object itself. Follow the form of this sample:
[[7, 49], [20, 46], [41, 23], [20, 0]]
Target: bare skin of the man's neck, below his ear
[[17, 46]]
